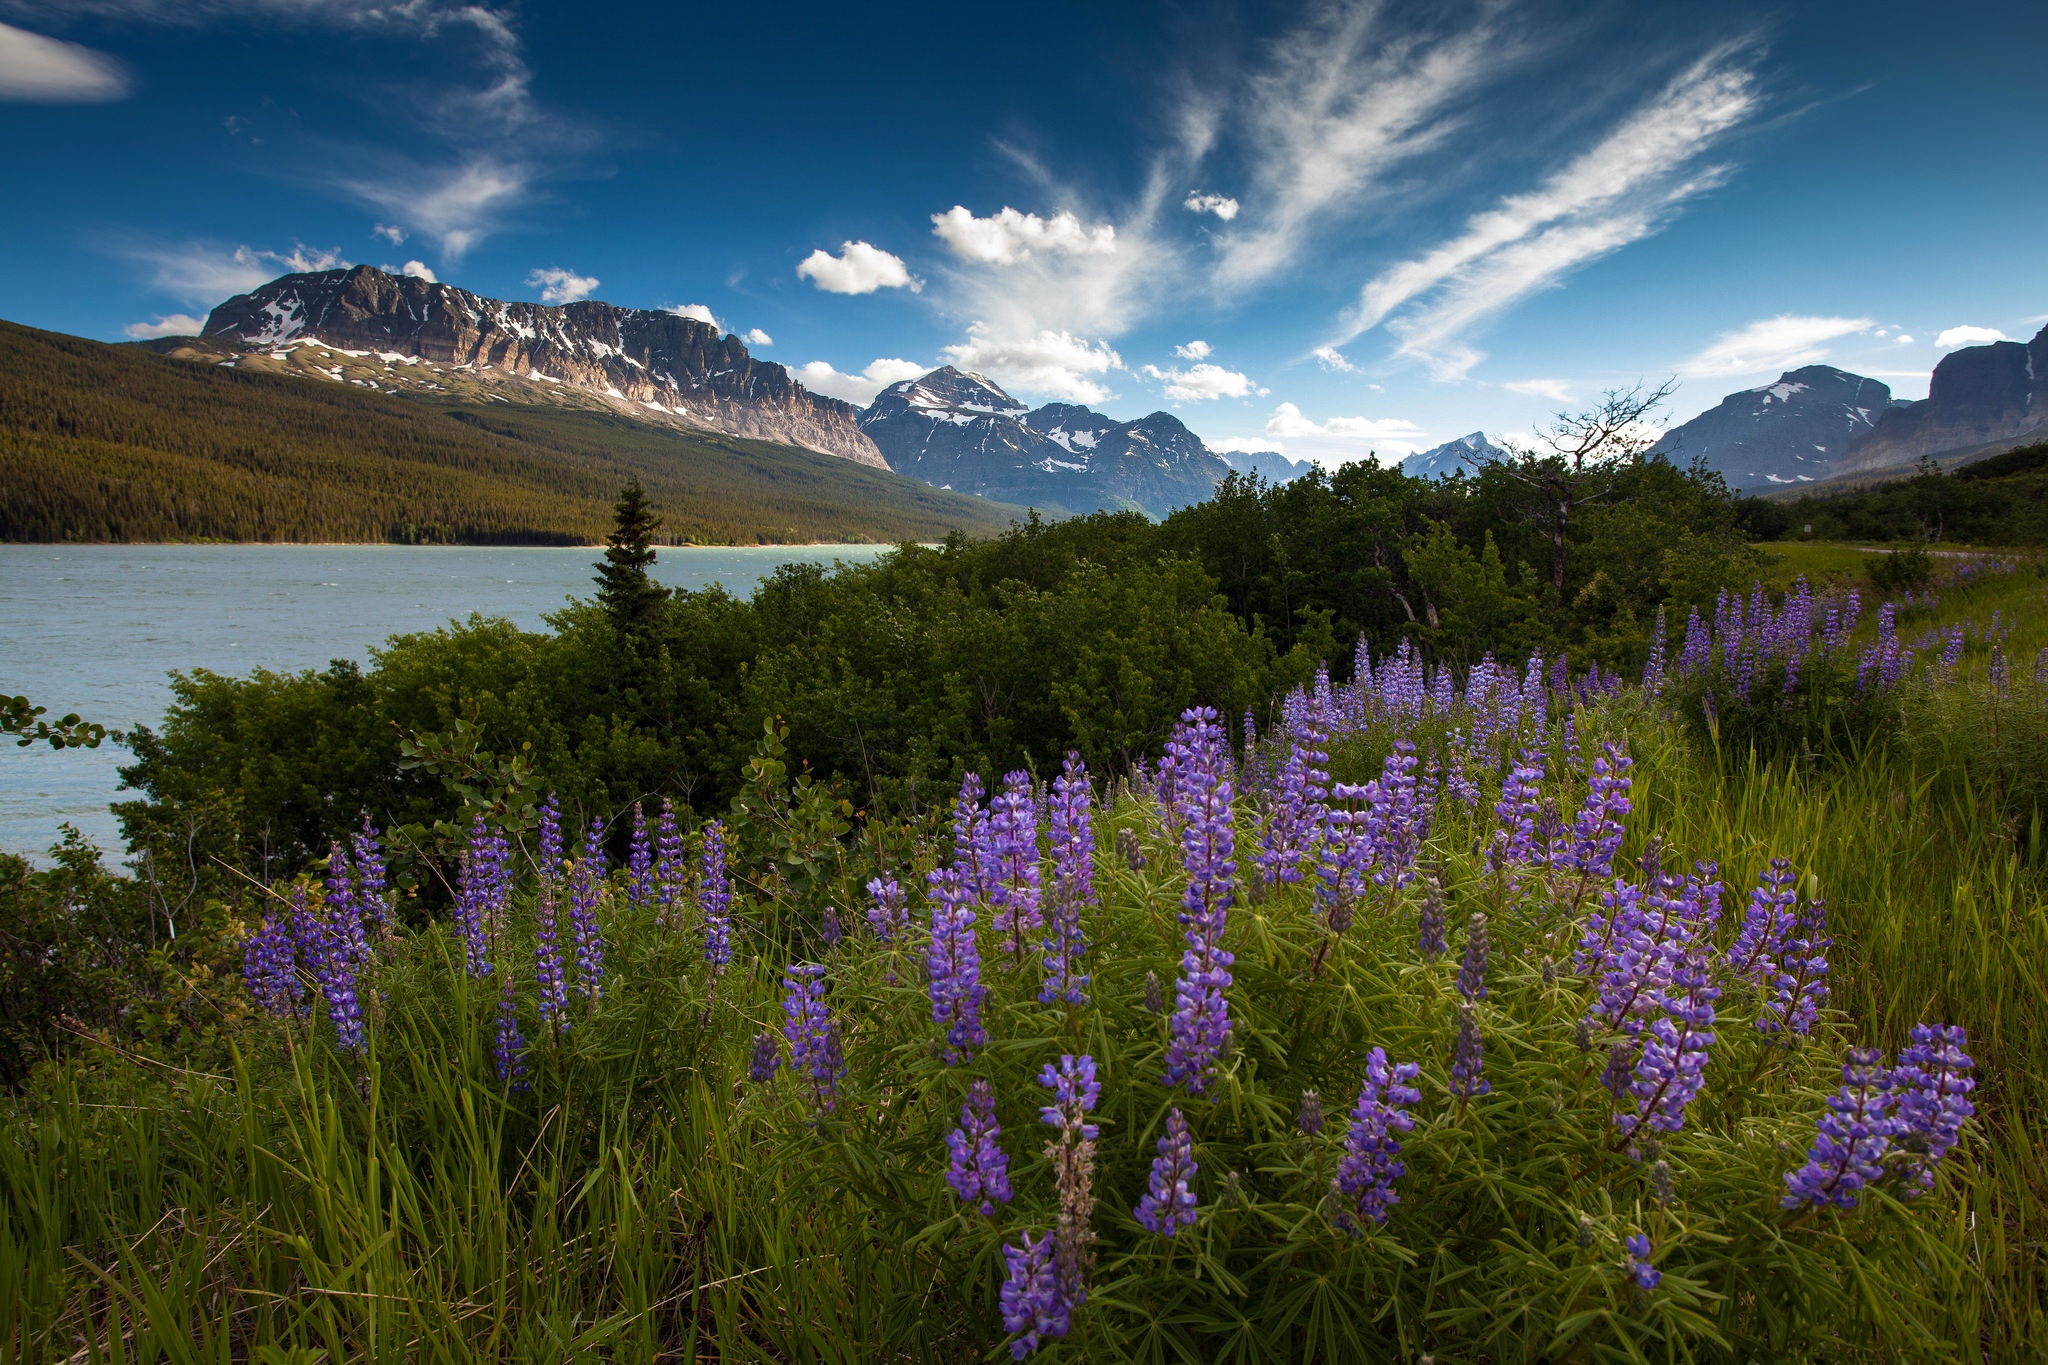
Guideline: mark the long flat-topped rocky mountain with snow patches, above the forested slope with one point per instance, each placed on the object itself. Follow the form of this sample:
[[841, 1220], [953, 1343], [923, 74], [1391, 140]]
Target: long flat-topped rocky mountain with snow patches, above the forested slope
[[413, 335]]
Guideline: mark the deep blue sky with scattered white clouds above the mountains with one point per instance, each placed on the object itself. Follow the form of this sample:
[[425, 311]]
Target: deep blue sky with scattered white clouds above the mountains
[[1332, 230]]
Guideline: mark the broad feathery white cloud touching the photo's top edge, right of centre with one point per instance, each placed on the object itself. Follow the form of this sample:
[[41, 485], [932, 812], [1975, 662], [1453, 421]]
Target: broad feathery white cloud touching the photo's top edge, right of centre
[[1340, 105]]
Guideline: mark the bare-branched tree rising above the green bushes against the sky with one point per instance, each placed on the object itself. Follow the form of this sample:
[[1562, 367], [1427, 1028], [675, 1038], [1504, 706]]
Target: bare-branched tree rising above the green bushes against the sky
[[1580, 457]]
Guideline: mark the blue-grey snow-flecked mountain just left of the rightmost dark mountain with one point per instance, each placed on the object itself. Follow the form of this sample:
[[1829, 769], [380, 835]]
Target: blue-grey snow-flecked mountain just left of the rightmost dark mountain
[[1787, 433]]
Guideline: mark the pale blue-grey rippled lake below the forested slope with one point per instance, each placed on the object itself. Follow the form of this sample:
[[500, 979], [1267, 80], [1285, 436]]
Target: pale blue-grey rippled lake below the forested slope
[[99, 627]]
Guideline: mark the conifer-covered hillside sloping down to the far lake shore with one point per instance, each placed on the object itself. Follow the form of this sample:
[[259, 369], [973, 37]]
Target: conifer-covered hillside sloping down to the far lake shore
[[103, 443]]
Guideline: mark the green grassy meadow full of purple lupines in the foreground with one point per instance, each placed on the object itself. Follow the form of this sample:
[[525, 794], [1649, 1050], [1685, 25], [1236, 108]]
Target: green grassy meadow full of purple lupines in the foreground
[[1474, 1014]]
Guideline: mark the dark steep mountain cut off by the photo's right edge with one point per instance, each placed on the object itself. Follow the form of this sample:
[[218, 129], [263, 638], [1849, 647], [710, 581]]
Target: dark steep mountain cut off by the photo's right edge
[[1979, 396]]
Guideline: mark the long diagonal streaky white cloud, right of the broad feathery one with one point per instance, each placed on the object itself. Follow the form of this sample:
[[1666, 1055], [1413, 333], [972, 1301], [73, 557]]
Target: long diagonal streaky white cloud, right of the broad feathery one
[[1623, 189]]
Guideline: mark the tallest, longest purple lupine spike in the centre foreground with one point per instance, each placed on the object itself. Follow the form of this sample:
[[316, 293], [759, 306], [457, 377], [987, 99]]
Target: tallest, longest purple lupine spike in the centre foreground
[[1201, 1026]]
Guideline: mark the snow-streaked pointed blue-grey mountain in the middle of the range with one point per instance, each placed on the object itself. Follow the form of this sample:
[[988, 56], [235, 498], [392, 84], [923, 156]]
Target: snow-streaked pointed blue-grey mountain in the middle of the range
[[959, 431]]
